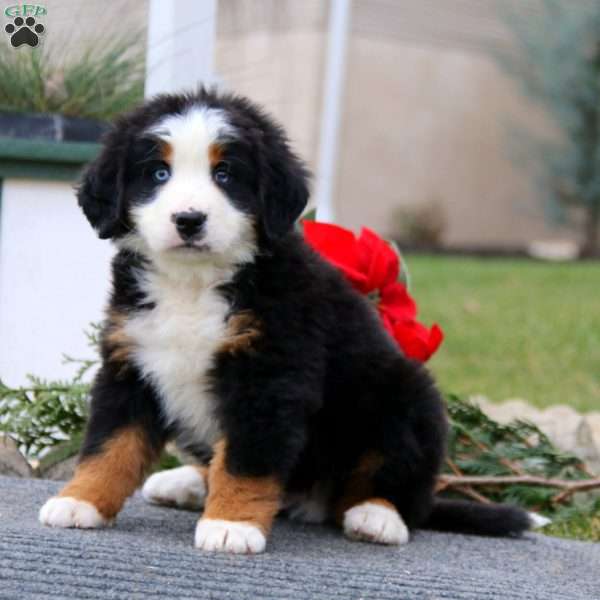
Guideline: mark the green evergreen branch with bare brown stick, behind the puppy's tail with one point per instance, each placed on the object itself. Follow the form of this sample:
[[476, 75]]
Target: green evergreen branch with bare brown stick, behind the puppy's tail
[[515, 463]]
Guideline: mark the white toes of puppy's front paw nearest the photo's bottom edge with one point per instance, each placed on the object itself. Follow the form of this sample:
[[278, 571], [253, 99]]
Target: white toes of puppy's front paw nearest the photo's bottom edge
[[214, 535]]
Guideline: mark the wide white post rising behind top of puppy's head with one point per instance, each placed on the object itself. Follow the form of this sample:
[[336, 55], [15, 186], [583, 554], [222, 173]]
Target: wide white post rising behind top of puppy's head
[[181, 43]]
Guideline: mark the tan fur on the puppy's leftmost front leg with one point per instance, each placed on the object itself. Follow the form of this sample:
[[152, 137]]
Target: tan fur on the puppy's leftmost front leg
[[108, 478]]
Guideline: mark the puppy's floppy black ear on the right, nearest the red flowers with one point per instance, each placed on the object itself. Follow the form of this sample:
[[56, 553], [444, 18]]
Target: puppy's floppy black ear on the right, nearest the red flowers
[[284, 189]]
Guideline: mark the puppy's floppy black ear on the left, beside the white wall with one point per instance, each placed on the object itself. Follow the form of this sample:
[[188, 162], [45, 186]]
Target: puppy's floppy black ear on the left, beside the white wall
[[101, 189]]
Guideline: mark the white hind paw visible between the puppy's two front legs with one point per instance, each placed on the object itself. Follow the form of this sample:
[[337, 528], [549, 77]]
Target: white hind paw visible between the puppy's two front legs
[[183, 487]]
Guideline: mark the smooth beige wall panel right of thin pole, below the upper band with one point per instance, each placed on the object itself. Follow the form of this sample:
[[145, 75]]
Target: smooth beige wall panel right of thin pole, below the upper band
[[427, 124]]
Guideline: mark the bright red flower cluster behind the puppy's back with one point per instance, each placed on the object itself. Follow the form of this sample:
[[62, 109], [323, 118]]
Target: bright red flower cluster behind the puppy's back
[[372, 267]]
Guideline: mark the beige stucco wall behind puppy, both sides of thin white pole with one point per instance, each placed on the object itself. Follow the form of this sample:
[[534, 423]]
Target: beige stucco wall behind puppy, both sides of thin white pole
[[426, 115]]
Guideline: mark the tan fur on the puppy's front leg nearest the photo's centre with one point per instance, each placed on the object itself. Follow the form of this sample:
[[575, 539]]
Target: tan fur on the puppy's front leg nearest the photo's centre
[[254, 500]]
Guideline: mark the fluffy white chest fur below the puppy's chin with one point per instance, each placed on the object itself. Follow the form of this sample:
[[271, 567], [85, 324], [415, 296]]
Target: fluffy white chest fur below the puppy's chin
[[175, 348]]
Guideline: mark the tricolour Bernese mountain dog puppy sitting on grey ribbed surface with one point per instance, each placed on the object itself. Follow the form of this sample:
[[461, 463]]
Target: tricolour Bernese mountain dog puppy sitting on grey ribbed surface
[[227, 333]]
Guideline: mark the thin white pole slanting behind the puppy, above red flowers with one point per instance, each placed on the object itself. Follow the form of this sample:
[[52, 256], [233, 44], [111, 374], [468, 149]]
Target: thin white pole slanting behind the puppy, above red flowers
[[339, 25]]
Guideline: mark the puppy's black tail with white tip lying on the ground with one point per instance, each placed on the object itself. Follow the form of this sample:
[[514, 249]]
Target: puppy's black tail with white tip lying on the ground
[[481, 519]]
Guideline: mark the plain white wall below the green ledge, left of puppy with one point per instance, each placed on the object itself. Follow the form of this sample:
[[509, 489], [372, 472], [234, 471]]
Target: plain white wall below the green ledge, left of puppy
[[54, 278]]
